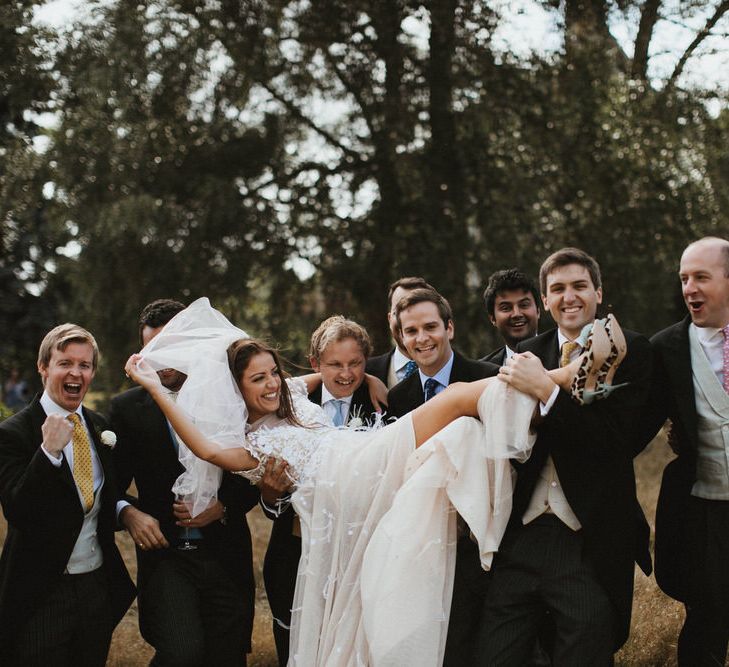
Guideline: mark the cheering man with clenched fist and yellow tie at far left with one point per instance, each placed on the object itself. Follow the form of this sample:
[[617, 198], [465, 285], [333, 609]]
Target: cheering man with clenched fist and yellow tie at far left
[[63, 584]]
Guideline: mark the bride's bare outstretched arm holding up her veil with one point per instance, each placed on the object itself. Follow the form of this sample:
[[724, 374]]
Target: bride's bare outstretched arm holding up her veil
[[235, 458]]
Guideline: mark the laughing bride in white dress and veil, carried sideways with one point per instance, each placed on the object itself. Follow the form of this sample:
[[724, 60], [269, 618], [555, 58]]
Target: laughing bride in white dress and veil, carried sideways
[[377, 506]]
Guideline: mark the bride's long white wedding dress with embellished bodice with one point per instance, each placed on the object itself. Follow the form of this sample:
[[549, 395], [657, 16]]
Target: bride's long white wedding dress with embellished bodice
[[378, 520]]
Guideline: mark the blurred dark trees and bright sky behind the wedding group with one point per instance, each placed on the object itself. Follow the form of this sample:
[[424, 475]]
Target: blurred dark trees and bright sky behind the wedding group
[[290, 158]]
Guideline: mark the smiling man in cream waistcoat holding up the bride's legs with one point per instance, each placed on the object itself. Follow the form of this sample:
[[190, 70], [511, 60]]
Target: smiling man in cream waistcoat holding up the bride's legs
[[576, 529]]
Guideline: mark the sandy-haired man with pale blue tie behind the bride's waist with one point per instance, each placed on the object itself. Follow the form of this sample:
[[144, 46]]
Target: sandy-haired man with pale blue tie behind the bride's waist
[[338, 350]]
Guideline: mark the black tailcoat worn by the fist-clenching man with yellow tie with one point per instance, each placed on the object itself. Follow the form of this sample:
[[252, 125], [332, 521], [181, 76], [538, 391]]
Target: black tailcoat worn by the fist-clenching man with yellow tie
[[44, 514]]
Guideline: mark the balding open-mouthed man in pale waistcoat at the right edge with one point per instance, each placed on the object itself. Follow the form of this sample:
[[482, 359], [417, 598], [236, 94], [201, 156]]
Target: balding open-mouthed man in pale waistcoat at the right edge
[[691, 387]]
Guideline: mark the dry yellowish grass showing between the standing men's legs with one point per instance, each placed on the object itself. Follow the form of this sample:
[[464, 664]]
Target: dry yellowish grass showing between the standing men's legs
[[656, 618]]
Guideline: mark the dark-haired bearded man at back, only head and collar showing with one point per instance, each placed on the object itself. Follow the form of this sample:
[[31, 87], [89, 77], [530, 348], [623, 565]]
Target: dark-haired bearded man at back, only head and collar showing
[[512, 303]]
